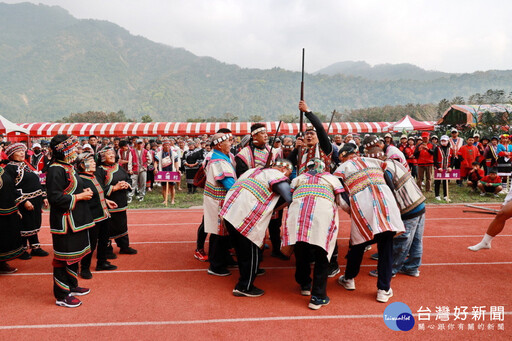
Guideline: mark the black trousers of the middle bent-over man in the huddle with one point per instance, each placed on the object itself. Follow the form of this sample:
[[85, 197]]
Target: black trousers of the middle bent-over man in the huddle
[[303, 252]]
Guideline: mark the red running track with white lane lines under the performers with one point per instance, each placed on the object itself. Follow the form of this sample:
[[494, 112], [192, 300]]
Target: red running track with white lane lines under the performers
[[164, 293]]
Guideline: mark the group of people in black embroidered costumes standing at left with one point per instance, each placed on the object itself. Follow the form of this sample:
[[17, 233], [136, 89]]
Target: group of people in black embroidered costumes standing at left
[[87, 209]]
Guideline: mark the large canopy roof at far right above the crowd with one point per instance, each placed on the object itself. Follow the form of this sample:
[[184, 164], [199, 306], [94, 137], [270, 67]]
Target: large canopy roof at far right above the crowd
[[471, 114]]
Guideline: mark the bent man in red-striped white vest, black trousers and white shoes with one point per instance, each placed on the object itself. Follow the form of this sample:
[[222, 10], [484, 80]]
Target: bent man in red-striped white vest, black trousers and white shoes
[[375, 217]]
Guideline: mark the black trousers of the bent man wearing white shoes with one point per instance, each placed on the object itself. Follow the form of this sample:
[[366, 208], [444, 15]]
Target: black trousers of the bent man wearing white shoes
[[355, 254]]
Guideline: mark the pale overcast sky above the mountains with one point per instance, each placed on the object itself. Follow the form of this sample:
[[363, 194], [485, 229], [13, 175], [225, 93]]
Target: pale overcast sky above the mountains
[[445, 35]]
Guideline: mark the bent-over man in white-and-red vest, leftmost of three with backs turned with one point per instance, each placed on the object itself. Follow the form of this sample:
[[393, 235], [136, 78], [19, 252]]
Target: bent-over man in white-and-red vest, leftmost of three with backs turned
[[246, 211]]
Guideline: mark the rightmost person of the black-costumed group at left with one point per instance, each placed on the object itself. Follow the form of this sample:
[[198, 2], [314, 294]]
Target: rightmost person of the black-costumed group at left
[[110, 174]]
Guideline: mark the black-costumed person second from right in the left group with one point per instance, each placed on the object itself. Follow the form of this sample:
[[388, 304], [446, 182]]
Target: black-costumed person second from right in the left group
[[99, 233]]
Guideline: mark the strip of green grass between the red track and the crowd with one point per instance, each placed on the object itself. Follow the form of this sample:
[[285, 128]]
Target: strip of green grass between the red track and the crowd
[[154, 199]]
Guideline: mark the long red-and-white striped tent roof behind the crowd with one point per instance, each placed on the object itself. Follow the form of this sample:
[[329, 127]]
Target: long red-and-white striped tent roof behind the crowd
[[48, 129]]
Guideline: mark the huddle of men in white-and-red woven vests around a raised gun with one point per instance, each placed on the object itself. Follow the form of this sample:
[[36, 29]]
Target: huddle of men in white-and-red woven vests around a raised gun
[[244, 193]]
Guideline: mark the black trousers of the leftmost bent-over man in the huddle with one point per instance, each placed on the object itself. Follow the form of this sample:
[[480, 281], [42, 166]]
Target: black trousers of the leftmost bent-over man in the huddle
[[247, 255]]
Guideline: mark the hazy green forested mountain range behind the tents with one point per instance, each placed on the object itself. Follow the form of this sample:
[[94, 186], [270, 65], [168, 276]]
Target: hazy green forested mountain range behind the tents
[[52, 65]]
